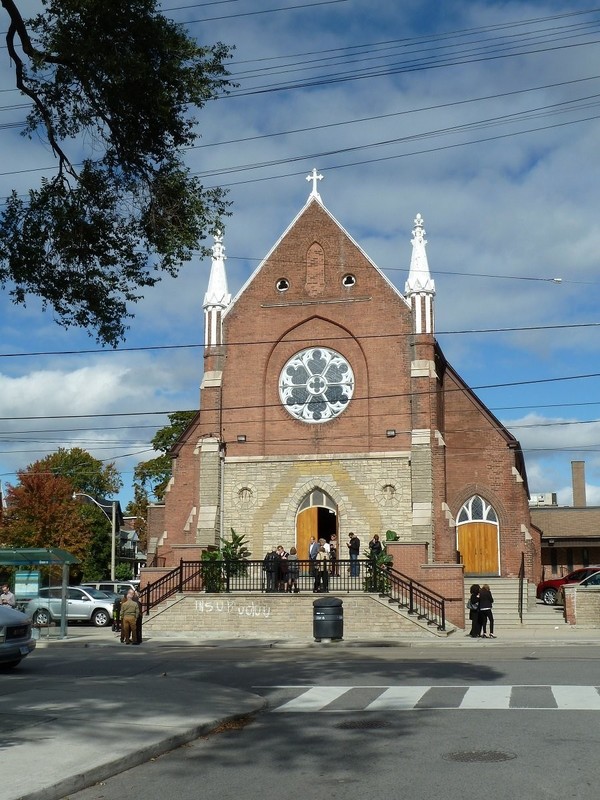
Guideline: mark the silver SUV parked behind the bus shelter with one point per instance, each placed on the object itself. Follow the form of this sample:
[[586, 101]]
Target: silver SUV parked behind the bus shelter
[[83, 605]]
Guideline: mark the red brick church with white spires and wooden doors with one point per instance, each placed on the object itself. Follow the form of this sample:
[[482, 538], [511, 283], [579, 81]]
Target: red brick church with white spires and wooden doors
[[327, 407]]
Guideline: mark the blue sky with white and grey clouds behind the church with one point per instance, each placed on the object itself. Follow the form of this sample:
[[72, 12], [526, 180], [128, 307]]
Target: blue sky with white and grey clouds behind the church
[[482, 116]]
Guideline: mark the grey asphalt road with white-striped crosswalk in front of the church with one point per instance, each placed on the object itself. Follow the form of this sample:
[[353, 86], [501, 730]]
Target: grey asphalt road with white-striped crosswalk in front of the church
[[353, 722]]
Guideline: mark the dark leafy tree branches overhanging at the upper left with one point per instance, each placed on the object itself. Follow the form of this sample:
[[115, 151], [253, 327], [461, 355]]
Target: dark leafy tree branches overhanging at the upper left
[[118, 82]]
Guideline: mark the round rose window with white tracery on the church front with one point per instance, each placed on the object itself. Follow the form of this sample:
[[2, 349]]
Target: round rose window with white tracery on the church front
[[316, 385]]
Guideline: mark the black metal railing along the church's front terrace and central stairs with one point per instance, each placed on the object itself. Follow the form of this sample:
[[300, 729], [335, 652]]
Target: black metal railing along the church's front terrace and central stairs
[[344, 576]]
